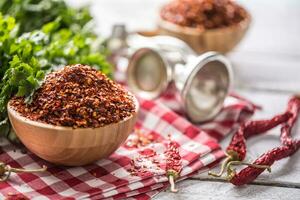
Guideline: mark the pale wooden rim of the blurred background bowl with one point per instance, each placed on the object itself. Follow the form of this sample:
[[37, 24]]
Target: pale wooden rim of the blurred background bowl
[[164, 24]]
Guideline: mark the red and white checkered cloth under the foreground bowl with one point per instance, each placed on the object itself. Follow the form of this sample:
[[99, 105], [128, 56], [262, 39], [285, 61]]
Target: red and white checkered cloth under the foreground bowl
[[109, 178]]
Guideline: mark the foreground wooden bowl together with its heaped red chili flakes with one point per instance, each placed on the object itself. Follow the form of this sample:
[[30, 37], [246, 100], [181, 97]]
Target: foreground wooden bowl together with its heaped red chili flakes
[[78, 116]]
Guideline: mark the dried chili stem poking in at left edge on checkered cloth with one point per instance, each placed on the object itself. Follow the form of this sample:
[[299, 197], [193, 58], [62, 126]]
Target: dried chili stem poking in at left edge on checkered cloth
[[6, 170]]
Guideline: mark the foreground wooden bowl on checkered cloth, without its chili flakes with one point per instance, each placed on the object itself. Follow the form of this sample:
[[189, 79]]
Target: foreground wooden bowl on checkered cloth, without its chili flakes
[[69, 146]]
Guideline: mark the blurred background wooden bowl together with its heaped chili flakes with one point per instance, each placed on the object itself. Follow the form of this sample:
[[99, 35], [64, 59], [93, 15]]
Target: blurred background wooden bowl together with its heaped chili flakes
[[206, 25]]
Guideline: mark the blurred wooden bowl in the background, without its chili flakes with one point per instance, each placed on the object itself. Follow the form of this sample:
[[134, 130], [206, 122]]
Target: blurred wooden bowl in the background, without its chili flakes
[[222, 40]]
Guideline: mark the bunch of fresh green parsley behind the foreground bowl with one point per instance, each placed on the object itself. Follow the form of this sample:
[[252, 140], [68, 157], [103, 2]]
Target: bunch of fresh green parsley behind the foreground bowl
[[38, 39]]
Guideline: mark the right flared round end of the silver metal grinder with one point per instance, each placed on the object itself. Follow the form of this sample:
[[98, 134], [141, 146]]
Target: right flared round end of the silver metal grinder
[[206, 86]]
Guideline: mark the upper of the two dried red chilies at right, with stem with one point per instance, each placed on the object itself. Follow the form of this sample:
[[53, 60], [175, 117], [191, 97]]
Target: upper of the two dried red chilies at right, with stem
[[236, 151]]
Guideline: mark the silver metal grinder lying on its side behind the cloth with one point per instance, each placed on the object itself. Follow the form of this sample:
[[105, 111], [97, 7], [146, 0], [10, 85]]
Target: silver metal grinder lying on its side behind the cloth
[[156, 62]]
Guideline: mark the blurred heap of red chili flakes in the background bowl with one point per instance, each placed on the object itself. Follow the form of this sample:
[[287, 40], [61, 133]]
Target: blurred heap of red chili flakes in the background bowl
[[203, 14]]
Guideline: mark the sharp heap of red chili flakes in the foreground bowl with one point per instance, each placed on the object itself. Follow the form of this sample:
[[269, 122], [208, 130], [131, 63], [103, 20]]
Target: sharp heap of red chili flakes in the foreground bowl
[[77, 96]]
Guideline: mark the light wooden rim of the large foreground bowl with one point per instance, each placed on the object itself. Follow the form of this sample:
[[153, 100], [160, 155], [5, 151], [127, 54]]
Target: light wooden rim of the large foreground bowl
[[38, 124]]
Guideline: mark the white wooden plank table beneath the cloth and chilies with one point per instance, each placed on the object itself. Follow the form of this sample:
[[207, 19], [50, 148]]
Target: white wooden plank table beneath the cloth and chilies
[[267, 69]]
